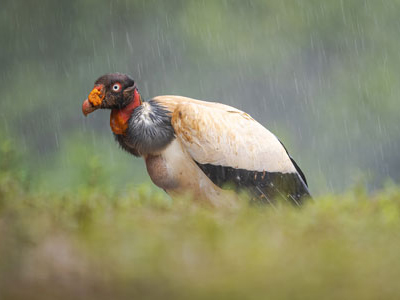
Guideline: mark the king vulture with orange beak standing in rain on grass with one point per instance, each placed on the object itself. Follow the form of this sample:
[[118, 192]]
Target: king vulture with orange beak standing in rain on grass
[[208, 150]]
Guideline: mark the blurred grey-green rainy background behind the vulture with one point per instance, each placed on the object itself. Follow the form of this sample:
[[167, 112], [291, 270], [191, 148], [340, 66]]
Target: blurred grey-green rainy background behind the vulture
[[322, 75]]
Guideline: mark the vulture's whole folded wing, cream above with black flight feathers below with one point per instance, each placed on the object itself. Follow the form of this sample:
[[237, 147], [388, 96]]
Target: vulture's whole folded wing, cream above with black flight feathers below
[[229, 146]]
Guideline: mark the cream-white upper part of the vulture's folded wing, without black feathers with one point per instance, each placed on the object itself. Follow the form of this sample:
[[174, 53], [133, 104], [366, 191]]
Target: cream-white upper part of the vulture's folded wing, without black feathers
[[218, 134]]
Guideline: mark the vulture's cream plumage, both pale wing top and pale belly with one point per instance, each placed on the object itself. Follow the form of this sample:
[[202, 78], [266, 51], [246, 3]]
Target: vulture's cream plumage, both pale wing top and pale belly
[[212, 133]]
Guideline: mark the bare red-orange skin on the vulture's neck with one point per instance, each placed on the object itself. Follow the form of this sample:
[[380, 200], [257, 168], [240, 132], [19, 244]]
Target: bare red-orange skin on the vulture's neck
[[119, 117]]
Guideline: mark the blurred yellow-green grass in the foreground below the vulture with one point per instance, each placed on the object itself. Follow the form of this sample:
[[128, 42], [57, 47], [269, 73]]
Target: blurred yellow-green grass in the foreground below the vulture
[[139, 244]]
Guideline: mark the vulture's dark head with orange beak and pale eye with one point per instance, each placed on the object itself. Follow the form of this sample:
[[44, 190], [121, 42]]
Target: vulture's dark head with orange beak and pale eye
[[112, 91]]
